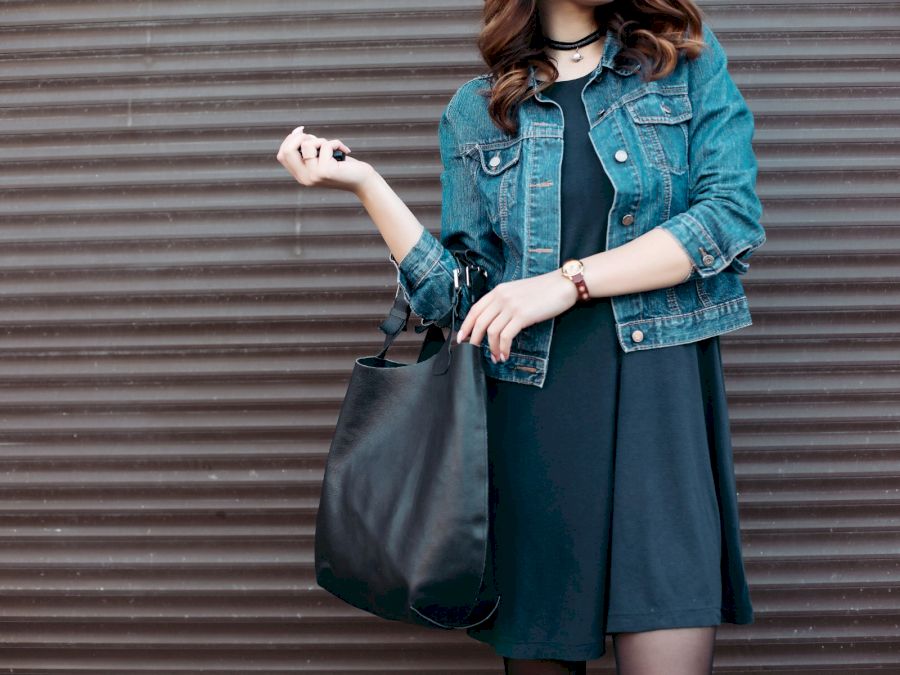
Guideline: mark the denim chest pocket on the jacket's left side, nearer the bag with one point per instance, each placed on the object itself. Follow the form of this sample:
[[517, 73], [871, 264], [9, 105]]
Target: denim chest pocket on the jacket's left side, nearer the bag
[[497, 169]]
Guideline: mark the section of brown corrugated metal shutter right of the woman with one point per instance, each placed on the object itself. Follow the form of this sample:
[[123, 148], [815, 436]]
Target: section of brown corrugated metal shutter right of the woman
[[813, 384]]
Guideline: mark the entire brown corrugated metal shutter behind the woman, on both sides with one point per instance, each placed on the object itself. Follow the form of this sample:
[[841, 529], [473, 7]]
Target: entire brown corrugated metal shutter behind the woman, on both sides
[[179, 320]]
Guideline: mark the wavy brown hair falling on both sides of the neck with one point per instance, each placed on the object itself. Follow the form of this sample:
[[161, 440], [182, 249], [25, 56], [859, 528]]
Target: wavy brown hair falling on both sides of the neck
[[652, 33]]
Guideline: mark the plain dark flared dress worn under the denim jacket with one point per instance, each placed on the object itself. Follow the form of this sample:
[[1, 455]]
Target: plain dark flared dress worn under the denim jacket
[[612, 488]]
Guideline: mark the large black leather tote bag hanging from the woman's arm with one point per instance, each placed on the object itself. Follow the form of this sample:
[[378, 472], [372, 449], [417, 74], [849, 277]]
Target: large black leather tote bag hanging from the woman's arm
[[402, 525]]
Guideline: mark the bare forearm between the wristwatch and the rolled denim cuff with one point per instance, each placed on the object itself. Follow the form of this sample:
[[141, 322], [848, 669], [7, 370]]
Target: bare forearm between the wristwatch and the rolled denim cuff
[[653, 260]]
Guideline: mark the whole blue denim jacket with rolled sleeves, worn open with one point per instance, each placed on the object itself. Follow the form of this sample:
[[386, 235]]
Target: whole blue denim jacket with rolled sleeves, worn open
[[678, 153]]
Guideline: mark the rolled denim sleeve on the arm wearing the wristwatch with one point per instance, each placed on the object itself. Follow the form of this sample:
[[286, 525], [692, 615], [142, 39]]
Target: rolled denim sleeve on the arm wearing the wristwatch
[[721, 228]]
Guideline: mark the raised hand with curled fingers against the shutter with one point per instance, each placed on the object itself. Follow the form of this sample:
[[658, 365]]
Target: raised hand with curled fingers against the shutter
[[298, 155]]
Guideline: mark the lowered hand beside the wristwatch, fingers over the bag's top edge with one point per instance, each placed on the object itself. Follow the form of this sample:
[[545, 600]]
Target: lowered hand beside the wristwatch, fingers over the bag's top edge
[[512, 305]]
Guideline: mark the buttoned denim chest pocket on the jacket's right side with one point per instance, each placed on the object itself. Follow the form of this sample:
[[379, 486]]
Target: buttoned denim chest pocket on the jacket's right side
[[662, 122]]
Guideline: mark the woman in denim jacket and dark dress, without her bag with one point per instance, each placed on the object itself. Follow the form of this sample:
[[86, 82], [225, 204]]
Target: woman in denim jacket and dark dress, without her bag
[[602, 175]]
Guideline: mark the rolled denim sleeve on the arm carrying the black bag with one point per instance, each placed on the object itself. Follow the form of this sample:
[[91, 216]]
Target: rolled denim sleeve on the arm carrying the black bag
[[425, 273]]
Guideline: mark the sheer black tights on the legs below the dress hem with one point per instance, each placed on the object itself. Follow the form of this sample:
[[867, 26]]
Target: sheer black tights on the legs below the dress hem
[[675, 651]]
